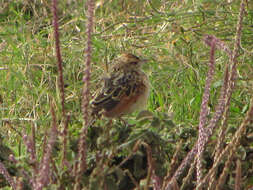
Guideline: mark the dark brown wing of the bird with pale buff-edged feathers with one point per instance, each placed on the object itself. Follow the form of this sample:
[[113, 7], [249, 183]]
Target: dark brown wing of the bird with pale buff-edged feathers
[[115, 87]]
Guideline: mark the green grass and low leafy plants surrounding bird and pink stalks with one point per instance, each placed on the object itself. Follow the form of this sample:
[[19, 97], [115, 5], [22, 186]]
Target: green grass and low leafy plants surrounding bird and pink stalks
[[153, 143]]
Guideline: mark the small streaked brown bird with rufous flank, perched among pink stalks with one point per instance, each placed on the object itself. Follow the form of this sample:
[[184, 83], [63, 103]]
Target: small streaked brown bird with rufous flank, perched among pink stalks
[[125, 89]]
